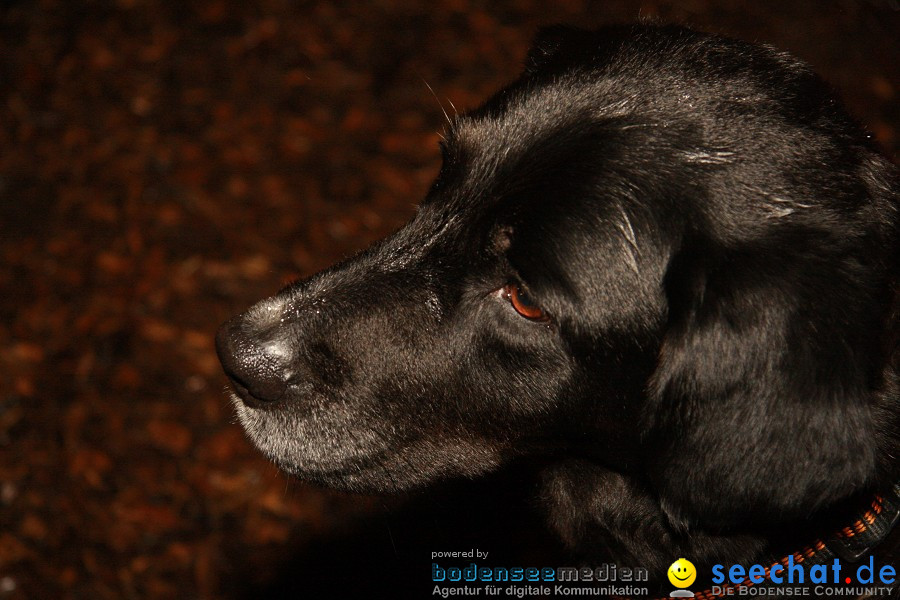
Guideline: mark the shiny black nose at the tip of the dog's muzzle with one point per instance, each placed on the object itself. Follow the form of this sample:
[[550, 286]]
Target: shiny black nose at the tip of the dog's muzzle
[[258, 362]]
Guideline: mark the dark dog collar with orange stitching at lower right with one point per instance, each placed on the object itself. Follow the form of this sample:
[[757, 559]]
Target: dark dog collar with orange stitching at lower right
[[849, 544]]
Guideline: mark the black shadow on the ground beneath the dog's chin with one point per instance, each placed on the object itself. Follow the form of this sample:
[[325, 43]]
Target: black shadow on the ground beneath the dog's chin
[[391, 552]]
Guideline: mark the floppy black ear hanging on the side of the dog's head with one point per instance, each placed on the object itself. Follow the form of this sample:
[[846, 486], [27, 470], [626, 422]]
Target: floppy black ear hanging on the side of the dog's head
[[761, 398]]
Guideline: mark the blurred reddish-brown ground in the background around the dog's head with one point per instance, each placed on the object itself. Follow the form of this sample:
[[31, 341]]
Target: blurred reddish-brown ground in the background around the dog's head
[[163, 165]]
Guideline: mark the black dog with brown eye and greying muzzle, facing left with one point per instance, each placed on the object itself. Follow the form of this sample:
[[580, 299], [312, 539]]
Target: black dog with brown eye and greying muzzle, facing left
[[664, 261]]
